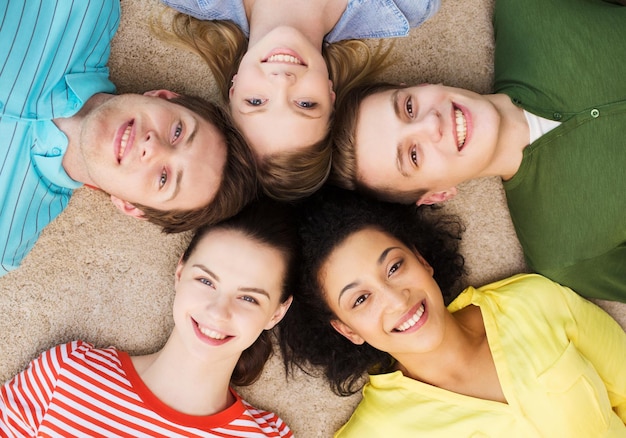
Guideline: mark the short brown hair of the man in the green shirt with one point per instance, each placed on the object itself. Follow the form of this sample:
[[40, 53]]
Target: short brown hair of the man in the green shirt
[[344, 172]]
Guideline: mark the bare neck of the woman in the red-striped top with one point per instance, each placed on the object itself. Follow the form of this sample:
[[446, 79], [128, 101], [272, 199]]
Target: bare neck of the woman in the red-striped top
[[184, 382]]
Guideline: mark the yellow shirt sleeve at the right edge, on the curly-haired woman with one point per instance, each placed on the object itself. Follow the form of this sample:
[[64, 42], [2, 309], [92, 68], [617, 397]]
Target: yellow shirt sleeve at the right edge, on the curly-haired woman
[[601, 340]]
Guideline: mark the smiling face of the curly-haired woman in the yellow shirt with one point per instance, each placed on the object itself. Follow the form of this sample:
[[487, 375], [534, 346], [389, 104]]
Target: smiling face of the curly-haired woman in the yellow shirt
[[384, 294]]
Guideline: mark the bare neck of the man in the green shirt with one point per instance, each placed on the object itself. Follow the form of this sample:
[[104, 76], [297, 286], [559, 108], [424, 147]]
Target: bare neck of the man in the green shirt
[[513, 137]]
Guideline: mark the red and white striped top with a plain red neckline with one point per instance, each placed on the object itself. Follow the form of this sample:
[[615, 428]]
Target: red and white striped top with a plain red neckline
[[75, 389]]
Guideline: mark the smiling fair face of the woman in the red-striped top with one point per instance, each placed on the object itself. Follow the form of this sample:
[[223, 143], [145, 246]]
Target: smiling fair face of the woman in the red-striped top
[[227, 292]]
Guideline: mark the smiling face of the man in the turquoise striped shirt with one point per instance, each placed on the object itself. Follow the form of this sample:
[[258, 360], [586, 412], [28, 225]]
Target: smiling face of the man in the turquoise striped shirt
[[146, 150]]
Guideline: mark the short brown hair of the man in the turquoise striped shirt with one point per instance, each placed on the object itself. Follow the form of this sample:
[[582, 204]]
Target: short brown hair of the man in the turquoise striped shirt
[[237, 187]]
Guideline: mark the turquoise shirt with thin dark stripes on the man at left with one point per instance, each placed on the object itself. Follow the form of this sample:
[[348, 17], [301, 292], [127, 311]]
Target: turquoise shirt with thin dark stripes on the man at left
[[53, 58]]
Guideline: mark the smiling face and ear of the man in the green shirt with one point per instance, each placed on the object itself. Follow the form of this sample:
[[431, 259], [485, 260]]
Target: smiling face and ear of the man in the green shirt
[[425, 138]]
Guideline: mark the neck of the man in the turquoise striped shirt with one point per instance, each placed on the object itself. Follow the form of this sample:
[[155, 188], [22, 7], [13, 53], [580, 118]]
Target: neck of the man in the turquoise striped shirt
[[73, 160]]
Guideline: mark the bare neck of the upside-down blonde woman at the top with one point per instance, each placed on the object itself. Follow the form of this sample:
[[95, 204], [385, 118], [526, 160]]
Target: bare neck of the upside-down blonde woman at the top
[[313, 18]]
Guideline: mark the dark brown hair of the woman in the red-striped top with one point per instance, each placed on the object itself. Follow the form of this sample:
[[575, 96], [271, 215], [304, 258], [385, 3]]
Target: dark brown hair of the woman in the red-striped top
[[268, 223]]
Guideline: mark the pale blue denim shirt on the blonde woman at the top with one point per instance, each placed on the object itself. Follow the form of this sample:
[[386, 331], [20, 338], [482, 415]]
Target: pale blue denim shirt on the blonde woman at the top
[[361, 19]]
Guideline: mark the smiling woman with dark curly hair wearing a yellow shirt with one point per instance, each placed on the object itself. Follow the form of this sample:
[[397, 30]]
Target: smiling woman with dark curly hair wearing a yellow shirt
[[520, 357]]
